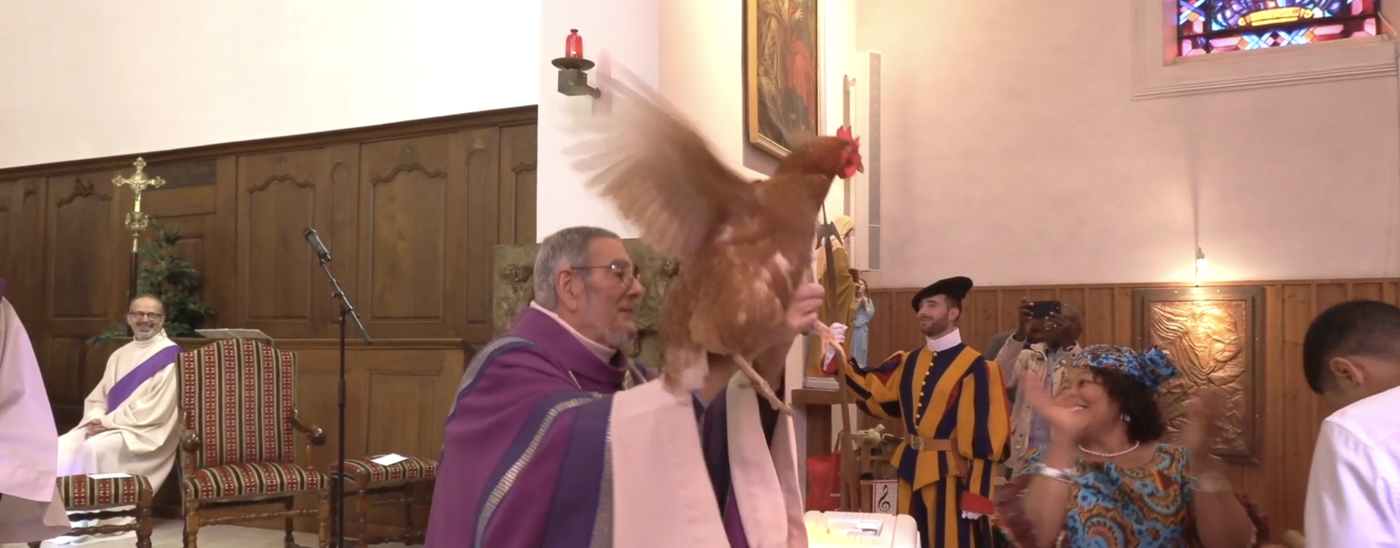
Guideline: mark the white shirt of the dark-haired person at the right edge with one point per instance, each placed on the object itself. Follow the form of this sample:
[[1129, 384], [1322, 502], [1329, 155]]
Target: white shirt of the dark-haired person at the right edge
[[1354, 484]]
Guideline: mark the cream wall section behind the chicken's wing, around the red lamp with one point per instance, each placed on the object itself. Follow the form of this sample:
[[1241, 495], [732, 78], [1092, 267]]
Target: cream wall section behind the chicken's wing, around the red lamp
[[692, 53]]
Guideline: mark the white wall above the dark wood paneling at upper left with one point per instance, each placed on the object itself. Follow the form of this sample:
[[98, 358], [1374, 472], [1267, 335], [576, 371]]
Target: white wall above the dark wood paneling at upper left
[[90, 79]]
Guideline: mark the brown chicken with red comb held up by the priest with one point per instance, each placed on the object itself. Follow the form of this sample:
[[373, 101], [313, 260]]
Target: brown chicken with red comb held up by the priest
[[744, 246]]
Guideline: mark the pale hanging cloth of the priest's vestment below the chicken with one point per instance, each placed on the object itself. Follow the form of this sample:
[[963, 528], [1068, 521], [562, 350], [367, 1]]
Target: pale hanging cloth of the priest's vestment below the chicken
[[654, 437]]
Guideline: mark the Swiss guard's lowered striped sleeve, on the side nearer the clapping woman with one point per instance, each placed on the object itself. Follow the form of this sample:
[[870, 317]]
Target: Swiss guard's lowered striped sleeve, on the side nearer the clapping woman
[[983, 432]]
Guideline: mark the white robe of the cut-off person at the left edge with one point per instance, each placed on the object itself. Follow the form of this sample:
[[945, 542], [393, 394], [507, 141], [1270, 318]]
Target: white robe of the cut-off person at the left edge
[[30, 505]]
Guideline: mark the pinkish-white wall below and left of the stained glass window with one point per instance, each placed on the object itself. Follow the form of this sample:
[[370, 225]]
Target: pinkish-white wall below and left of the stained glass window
[[1016, 155]]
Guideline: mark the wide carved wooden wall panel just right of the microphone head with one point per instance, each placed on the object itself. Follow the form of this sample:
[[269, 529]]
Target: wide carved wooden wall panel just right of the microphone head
[[411, 236]]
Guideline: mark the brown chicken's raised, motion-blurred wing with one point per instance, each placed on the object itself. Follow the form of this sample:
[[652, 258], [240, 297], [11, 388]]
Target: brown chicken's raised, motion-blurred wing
[[660, 173]]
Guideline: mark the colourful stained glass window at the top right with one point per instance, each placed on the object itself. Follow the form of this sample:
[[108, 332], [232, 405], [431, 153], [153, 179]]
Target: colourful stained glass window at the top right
[[1231, 26]]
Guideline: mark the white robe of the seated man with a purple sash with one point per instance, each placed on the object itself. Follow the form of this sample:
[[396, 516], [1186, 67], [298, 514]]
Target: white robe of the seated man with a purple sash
[[142, 432]]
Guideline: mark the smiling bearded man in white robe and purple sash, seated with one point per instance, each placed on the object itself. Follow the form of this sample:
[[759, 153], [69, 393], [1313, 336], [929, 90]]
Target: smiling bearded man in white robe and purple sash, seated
[[131, 420]]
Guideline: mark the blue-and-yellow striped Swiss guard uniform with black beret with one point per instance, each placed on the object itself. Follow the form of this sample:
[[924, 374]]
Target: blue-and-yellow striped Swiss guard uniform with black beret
[[958, 421]]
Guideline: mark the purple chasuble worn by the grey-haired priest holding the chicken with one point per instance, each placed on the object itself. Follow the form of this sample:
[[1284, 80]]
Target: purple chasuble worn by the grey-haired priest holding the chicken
[[526, 449]]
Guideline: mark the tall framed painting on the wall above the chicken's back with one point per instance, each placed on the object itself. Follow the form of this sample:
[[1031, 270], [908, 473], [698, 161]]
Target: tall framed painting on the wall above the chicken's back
[[783, 74]]
